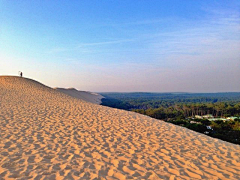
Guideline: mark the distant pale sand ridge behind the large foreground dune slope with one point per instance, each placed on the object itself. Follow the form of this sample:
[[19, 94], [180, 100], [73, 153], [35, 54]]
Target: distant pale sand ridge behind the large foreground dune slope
[[84, 95]]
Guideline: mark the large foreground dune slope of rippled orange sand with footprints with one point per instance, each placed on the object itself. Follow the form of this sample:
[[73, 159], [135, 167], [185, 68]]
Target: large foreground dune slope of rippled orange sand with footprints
[[45, 134]]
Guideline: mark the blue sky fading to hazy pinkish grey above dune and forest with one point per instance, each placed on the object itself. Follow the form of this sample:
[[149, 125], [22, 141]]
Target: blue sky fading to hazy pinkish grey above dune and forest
[[125, 45]]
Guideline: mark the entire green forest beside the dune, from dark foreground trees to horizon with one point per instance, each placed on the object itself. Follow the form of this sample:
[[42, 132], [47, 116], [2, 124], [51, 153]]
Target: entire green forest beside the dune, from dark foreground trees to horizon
[[179, 108]]
